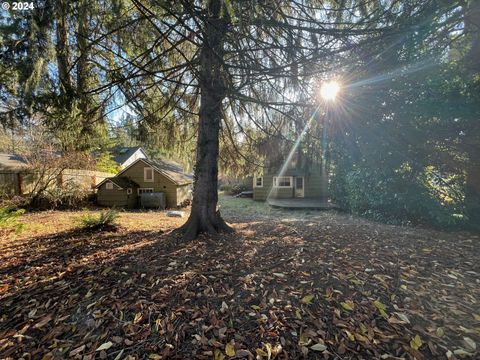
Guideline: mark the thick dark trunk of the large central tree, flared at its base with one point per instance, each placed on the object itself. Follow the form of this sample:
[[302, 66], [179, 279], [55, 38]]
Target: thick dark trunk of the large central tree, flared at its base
[[204, 217]]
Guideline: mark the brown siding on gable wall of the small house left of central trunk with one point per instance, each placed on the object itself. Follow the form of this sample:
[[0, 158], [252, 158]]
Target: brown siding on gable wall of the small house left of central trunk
[[160, 183]]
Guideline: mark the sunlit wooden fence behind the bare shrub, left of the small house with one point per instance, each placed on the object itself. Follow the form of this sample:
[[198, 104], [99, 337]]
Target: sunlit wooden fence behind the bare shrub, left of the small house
[[18, 182]]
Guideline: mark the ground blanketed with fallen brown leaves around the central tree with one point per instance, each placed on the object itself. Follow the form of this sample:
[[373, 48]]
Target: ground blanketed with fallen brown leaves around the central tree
[[286, 285]]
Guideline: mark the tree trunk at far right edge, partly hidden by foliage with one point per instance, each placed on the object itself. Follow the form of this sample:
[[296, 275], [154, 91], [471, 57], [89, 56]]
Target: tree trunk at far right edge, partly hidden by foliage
[[472, 140]]
